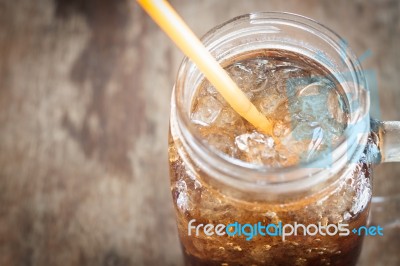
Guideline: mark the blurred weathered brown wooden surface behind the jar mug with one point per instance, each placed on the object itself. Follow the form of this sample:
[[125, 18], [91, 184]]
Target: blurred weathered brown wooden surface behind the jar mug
[[84, 102]]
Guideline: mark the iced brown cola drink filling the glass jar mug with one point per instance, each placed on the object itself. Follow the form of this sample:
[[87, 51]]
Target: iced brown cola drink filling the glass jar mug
[[310, 114]]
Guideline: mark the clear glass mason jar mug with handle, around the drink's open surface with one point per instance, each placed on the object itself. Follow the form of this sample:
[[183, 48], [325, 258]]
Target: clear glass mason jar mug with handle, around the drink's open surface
[[334, 190]]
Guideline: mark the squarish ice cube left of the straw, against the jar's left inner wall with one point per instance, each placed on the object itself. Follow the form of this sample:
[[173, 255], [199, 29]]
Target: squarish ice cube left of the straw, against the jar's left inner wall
[[206, 111]]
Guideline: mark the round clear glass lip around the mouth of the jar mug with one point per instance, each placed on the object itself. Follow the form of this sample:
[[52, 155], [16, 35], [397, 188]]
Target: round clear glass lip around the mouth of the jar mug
[[325, 34]]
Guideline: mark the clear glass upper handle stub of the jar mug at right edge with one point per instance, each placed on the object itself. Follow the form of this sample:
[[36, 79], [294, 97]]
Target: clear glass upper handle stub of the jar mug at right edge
[[389, 140]]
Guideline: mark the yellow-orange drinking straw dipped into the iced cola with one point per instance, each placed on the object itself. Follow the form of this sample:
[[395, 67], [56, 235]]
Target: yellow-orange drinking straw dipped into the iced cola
[[173, 25]]
